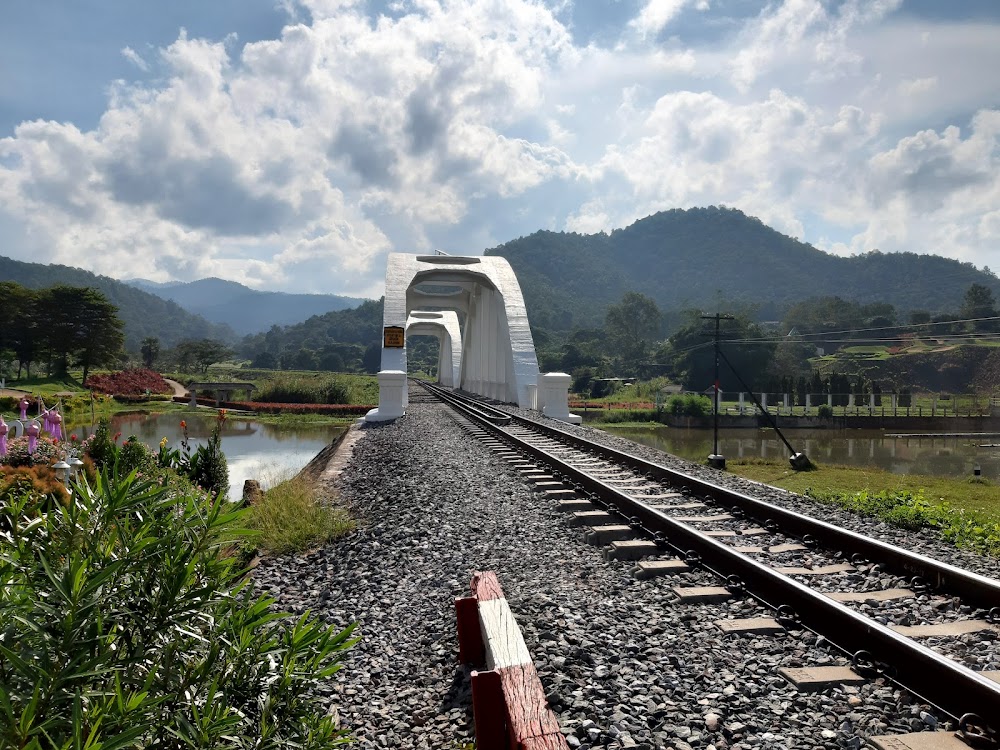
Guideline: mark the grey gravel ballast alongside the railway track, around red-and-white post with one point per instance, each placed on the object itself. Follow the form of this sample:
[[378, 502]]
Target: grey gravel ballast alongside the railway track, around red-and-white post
[[623, 664]]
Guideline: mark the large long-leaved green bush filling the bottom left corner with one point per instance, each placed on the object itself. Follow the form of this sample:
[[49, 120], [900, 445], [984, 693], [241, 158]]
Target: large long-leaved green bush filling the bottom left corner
[[124, 624]]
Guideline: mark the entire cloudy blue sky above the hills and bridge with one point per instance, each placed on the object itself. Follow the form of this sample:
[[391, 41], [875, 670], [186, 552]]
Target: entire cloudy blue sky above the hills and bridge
[[292, 145]]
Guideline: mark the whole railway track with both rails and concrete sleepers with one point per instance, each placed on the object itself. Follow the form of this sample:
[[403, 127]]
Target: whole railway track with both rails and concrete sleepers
[[808, 573]]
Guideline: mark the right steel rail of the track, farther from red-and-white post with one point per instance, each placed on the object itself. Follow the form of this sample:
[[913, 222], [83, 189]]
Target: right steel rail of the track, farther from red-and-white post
[[975, 589]]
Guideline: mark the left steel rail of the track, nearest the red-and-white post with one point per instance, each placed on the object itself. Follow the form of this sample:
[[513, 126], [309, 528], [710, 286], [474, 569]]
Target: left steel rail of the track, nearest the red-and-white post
[[951, 687]]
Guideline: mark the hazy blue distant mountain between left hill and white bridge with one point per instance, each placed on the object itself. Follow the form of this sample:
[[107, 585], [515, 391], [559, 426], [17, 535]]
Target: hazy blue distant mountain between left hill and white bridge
[[244, 309]]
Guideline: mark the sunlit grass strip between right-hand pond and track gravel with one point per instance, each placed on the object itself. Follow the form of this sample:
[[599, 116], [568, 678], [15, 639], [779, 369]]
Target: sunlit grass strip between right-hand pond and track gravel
[[979, 497]]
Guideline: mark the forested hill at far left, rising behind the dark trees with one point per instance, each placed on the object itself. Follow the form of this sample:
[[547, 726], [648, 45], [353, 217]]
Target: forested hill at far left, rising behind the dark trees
[[143, 314]]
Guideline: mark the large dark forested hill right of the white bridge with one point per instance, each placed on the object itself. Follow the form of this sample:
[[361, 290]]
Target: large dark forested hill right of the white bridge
[[709, 257]]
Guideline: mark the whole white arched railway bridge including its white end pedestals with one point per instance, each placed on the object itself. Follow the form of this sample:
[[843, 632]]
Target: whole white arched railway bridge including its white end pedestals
[[474, 307]]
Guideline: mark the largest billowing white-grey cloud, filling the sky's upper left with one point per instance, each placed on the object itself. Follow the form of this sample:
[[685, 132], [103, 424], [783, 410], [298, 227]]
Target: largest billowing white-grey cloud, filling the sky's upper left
[[296, 143]]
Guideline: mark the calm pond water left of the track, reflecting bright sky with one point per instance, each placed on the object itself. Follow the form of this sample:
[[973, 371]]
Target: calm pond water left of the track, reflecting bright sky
[[265, 452]]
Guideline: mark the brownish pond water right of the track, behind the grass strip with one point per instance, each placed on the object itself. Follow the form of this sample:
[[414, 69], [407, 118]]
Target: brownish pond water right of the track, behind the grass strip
[[954, 456]]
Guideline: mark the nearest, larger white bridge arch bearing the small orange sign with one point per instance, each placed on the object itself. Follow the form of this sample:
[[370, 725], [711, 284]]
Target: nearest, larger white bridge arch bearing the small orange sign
[[498, 354]]
